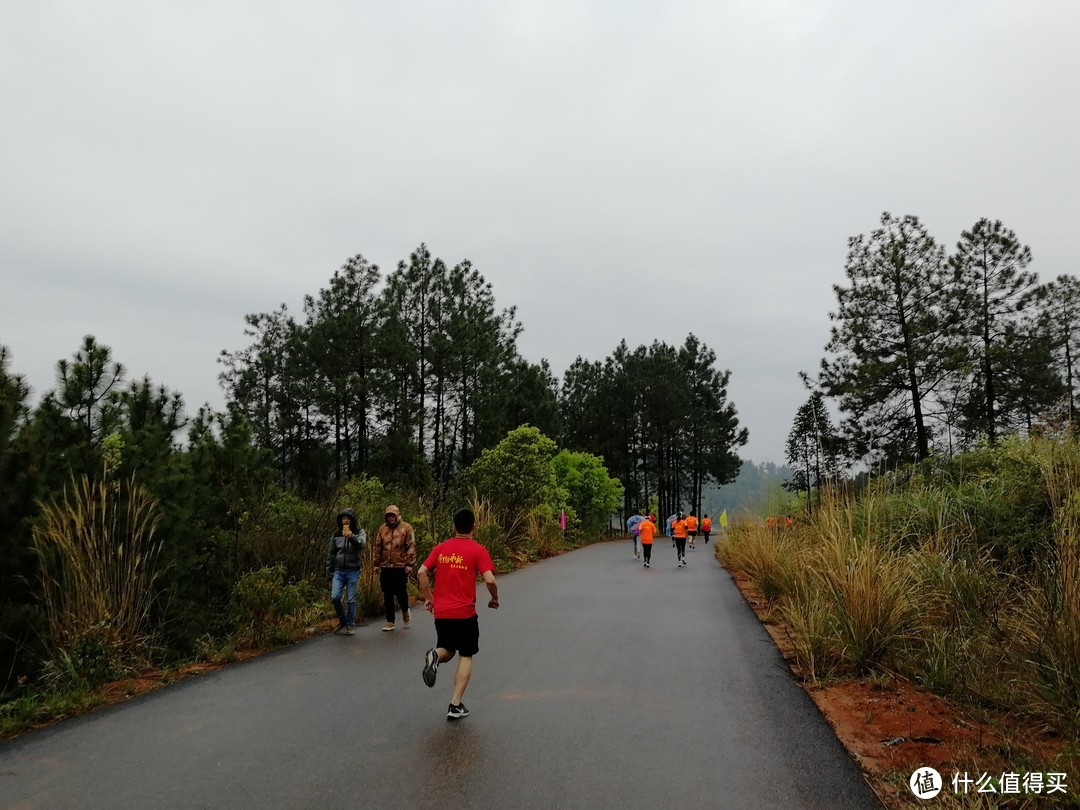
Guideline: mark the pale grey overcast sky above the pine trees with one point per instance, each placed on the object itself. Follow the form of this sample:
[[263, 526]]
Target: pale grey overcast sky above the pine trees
[[619, 170]]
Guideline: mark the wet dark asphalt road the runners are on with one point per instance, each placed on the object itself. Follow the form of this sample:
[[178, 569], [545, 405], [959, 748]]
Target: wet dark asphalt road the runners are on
[[599, 684]]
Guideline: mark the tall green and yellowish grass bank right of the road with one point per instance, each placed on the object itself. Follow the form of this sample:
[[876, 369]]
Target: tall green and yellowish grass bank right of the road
[[965, 577]]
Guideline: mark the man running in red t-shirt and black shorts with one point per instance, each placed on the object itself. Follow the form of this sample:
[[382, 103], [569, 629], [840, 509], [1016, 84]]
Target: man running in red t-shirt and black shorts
[[456, 562]]
